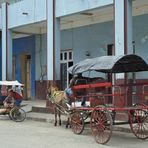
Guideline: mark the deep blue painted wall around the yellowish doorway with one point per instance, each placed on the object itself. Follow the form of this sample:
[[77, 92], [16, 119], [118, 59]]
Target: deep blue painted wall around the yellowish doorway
[[25, 45]]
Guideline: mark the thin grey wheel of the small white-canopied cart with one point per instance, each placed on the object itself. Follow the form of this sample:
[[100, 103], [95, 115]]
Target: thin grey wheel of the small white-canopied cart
[[17, 114]]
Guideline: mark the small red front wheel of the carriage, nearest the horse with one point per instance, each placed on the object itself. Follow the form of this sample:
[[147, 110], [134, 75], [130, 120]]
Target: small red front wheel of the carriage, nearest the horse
[[77, 123]]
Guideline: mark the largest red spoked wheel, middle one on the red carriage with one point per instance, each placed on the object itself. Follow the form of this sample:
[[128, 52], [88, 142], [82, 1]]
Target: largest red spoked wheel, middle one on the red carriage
[[101, 125]]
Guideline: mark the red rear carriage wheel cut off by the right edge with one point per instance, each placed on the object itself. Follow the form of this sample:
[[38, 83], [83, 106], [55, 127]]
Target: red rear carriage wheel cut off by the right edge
[[138, 119]]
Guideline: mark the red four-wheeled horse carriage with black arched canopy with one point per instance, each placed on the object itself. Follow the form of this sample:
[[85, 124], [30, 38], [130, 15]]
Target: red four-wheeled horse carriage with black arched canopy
[[114, 102]]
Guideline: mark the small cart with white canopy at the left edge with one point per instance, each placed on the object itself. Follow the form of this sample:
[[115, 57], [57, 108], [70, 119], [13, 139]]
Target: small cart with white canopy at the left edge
[[16, 113]]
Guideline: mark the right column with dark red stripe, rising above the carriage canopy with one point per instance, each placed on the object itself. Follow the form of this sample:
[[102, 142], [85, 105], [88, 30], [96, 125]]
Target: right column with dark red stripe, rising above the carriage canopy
[[123, 26]]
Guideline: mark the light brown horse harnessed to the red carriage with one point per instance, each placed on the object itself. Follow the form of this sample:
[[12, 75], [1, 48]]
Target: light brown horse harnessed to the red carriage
[[57, 98]]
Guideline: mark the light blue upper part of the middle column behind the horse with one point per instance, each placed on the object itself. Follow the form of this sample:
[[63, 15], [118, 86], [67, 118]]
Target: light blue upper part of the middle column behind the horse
[[51, 39]]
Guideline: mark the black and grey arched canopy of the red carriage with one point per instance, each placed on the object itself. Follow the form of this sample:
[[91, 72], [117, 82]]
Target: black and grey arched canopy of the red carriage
[[110, 64]]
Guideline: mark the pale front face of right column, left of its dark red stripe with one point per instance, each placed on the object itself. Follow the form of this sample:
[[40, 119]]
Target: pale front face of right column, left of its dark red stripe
[[119, 26]]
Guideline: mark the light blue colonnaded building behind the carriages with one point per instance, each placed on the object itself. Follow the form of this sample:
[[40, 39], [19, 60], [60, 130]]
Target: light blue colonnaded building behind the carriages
[[42, 38]]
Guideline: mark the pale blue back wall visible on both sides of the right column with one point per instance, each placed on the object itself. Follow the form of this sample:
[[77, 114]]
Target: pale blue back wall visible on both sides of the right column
[[95, 38]]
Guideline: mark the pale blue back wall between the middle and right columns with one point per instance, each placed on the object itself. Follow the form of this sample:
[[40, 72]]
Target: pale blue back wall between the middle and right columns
[[93, 38]]
